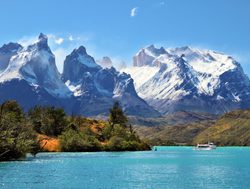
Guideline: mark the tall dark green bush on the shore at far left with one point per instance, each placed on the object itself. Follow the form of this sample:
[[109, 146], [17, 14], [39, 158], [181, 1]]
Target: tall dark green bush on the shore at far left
[[17, 136]]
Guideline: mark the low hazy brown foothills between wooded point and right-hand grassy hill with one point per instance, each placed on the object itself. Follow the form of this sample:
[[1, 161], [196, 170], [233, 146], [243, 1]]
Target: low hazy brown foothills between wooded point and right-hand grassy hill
[[179, 128]]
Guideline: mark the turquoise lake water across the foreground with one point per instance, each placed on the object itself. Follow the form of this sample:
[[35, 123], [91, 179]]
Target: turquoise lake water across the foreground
[[168, 167]]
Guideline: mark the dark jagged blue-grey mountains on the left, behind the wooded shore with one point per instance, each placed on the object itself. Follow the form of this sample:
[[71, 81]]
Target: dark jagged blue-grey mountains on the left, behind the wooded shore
[[30, 76]]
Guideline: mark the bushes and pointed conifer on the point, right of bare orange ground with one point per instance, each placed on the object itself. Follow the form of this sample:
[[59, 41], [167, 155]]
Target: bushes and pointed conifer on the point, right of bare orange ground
[[114, 135]]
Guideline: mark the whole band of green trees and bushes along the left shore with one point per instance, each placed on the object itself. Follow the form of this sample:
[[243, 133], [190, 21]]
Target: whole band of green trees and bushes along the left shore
[[19, 131]]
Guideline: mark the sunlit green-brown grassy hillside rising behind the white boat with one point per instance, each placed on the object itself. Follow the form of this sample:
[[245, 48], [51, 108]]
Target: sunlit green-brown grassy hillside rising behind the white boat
[[231, 129]]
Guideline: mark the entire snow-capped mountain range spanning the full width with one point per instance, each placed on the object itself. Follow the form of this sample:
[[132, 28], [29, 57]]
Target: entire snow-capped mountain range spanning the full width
[[161, 81]]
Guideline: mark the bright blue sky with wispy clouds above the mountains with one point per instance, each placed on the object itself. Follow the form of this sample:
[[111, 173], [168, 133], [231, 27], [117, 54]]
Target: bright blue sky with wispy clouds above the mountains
[[119, 28]]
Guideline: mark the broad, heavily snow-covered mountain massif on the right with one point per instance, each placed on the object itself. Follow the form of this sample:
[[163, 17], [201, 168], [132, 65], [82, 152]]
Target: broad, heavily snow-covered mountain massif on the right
[[179, 78]]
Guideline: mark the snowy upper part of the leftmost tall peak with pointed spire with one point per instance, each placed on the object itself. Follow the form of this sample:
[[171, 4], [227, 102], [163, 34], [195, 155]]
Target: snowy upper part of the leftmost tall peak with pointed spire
[[36, 65]]
